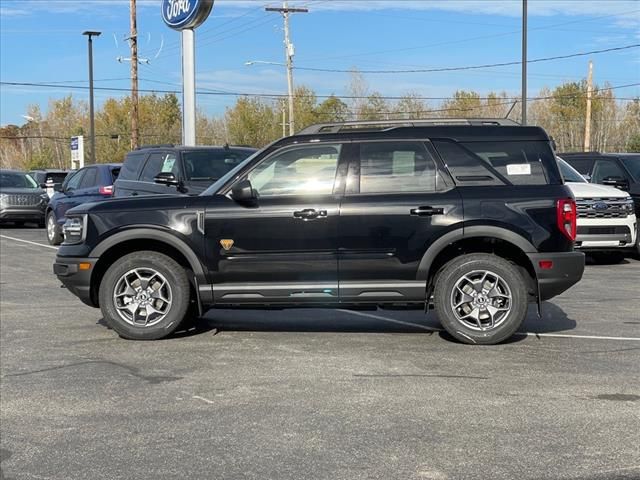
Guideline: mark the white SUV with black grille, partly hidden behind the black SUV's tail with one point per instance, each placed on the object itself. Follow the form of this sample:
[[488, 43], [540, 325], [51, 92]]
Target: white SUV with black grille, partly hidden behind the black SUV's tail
[[607, 222]]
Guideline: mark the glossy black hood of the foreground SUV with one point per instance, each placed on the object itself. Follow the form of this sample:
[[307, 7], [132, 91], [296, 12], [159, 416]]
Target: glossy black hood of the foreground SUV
[[149, 202]]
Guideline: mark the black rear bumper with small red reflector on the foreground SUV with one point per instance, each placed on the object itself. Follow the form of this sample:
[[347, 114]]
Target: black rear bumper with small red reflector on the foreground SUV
[[566, 270]]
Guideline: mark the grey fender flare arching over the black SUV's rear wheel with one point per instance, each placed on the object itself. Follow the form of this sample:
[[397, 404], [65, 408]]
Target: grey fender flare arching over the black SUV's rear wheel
[[463, 233]]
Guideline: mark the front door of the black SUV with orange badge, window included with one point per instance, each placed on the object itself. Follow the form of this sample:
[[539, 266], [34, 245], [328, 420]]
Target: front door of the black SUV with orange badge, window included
[[282, 248]]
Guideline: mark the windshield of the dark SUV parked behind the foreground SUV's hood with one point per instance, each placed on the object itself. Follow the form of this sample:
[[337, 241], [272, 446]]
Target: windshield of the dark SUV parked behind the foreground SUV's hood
[[210, 165]]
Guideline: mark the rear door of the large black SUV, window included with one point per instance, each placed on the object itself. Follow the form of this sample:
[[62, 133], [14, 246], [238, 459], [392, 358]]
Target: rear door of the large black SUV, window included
[[395, 205]]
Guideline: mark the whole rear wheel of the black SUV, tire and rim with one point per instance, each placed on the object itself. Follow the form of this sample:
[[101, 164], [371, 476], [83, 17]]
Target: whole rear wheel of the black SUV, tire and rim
[[505, 289]]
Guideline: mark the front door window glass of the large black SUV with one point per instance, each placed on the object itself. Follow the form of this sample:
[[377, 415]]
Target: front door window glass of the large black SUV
[[307, 170]]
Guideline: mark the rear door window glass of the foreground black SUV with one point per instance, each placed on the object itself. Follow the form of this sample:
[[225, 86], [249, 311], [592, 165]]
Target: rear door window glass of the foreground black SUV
[[396, 167]]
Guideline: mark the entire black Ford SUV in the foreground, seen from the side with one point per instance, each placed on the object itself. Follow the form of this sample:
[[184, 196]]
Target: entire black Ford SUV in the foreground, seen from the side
[[469, 215]]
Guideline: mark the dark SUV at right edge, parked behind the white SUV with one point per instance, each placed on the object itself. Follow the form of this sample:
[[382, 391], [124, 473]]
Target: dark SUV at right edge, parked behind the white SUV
[[619, 170]]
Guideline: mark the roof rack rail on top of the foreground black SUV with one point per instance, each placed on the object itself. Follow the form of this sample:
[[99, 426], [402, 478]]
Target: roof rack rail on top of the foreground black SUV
[[390, 124]]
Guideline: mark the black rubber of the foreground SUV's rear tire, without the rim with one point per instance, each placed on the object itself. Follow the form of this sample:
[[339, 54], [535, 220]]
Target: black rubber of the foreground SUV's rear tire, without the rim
[[510, 273]]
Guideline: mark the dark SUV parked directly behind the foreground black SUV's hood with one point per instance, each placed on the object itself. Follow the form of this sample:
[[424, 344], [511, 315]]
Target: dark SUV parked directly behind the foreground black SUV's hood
[[169, 169]]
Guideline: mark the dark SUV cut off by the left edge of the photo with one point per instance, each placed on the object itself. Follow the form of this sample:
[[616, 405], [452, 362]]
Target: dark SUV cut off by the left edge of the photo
[[21, 198]]
